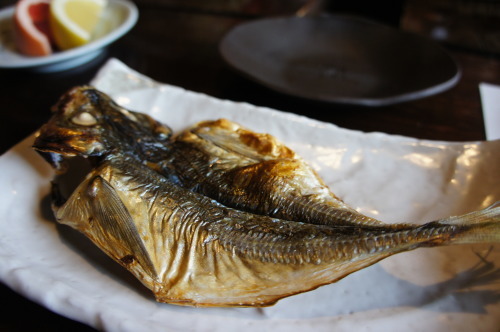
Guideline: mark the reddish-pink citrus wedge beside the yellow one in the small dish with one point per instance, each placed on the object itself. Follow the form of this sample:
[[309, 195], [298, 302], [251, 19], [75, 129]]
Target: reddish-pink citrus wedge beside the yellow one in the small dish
[[31, 27]]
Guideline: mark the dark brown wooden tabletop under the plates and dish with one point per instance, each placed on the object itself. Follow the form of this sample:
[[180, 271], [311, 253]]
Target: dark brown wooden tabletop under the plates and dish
[[177, 42]]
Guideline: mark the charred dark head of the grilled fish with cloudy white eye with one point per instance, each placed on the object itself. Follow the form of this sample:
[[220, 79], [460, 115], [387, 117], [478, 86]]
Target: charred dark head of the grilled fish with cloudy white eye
[[87, 122]]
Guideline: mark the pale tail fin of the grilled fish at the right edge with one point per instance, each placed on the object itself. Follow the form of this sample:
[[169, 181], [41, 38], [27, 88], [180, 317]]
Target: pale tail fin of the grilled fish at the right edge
[[481, 226]]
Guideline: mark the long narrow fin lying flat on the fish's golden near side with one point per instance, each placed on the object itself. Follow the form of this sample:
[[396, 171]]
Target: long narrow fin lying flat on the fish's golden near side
[[115, 219]]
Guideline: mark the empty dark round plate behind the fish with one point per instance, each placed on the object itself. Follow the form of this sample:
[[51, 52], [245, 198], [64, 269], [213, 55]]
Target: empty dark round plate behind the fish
[[339, 59]]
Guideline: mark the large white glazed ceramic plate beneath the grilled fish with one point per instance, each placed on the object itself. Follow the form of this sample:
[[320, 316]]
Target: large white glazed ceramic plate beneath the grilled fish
[[392, 178]]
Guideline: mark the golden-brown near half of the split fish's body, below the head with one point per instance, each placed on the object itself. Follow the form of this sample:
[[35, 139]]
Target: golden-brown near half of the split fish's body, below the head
[[191, 250]]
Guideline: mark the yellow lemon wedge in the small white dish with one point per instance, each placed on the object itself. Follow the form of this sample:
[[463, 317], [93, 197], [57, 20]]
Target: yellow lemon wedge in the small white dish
[[73, 21]]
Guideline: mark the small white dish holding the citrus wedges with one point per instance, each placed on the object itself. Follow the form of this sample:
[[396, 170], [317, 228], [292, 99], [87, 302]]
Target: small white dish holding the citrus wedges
[[119, 17]]
